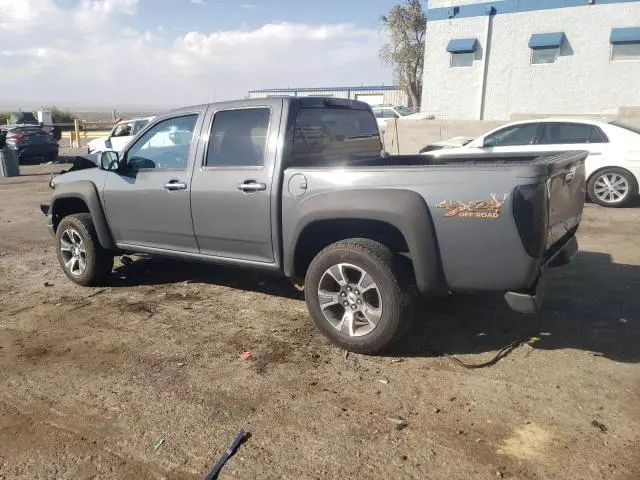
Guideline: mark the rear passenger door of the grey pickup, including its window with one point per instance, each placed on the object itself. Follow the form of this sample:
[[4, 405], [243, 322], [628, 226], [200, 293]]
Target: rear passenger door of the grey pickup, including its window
[[231, 194]]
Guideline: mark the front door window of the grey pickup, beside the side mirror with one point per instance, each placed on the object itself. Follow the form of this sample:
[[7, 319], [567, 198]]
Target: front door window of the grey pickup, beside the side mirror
[[165, 145]]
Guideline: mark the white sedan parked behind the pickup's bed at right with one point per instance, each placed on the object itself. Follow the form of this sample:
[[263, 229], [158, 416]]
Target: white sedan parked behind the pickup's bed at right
[[613, 164]]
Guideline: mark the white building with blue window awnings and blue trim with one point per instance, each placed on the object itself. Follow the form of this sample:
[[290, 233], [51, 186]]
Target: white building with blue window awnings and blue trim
[[494, 60]]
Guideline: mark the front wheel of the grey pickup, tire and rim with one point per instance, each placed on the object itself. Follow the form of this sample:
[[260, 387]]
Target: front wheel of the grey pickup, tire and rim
[[79, 252]]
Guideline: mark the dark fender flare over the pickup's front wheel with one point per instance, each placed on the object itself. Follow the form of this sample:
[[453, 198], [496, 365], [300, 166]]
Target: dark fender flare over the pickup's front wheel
[[86, 191]]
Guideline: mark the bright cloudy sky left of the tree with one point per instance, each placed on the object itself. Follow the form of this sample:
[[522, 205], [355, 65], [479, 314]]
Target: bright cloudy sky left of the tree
[[116, 53]]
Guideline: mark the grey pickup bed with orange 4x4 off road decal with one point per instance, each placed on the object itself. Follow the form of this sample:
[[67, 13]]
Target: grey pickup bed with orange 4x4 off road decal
[[493, 219]]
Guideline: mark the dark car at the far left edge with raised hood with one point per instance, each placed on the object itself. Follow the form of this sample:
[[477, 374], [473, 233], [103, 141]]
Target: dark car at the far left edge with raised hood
[[31, 143]]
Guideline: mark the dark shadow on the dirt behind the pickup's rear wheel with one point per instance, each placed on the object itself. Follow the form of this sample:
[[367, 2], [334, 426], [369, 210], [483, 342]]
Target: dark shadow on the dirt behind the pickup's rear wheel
[[591, 304]]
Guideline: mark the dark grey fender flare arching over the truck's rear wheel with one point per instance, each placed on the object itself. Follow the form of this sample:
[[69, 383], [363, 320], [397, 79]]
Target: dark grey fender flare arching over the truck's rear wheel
[[405, 210]]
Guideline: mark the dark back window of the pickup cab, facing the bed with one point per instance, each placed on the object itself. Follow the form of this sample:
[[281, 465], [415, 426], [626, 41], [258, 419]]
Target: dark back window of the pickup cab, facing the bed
[[327, 134]]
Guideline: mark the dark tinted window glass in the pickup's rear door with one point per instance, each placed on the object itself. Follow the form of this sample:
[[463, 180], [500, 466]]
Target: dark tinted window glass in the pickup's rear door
[[238, 138]]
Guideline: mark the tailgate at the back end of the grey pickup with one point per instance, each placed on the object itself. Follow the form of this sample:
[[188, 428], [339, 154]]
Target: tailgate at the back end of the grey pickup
[[566, 194]]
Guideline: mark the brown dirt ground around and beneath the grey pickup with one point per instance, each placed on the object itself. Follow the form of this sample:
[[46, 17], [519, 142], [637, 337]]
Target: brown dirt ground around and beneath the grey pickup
[[91, 379]]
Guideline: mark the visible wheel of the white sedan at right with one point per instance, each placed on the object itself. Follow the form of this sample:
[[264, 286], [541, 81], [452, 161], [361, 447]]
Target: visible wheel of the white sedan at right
[[612, 187]]
